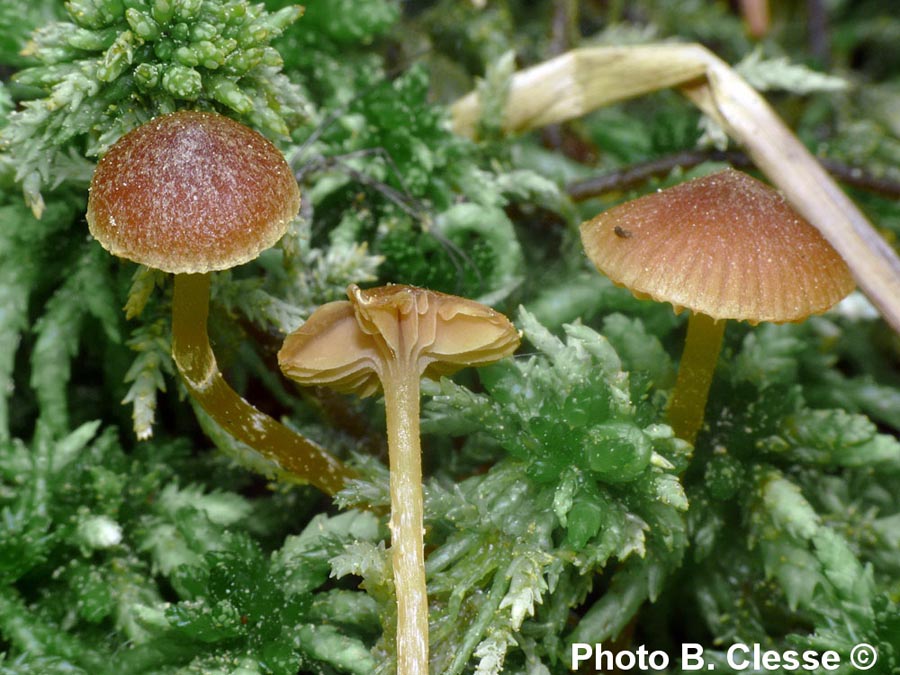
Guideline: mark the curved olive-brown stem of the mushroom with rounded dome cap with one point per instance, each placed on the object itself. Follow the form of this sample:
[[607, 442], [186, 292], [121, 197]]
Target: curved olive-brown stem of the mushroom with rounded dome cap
[[197, 364]]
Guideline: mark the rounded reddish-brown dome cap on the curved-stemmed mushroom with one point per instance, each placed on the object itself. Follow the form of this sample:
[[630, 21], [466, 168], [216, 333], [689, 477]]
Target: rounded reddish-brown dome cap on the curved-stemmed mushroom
[[191, 192]]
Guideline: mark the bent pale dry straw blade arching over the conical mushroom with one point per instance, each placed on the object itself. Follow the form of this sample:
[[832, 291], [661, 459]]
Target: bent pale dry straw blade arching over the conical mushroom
[[584, 79]]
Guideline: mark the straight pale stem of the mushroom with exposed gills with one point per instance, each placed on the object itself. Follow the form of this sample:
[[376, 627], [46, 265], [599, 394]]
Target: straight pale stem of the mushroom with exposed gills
[[401, 397]]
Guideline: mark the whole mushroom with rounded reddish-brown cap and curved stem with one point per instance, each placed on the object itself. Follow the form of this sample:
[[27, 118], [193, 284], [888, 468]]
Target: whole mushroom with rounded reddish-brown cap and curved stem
[[191, 193]]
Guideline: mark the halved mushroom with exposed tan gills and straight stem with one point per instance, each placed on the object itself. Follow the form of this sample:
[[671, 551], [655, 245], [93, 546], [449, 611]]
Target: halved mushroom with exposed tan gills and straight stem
[[392, 336]]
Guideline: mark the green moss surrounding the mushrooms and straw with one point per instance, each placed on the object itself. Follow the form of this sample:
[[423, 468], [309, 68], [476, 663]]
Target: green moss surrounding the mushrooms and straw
[[559, 506]]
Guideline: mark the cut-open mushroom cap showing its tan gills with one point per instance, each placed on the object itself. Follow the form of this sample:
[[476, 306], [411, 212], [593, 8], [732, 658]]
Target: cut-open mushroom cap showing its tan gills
[[347, 345]]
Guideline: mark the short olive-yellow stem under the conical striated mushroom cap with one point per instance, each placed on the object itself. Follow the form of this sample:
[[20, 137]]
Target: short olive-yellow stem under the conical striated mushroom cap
[[698, 362]]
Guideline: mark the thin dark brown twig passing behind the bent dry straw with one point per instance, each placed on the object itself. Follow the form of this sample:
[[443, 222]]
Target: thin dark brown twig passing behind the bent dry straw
[[632, 176]]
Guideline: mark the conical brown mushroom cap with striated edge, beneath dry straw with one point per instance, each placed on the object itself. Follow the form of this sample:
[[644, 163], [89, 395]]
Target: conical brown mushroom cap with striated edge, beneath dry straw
[[724, 245]]
